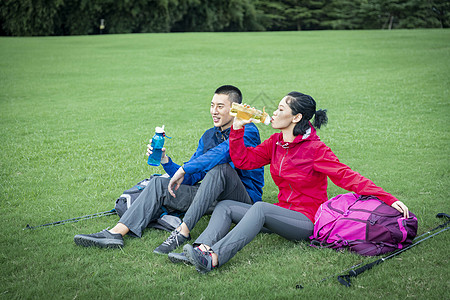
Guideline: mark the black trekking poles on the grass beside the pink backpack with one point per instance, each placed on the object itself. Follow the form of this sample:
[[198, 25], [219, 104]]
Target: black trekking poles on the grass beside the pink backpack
[[346, 279]]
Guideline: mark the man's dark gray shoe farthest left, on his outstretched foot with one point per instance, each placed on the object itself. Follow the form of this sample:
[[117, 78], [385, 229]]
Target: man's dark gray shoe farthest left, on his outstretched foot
[[102, 239]]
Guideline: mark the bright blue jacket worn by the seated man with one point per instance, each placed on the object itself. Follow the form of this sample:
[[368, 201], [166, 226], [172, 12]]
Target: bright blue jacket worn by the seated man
[[213, 149]]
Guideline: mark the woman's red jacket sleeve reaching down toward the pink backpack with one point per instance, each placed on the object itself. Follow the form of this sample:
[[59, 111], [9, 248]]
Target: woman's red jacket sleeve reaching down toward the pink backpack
[[340, 174]]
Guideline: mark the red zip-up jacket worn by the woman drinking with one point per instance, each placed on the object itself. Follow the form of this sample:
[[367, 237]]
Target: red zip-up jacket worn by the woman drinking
[[300, 170]]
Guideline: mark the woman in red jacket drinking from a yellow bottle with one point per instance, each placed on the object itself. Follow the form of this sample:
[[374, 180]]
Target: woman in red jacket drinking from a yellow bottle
[[299, 164]]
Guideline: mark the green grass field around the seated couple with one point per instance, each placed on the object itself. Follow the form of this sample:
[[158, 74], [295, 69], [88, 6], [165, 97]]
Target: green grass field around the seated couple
[[76, 114]]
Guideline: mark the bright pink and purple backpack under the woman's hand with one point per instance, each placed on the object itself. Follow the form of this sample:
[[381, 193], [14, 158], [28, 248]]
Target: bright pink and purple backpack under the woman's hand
[[362, 224]]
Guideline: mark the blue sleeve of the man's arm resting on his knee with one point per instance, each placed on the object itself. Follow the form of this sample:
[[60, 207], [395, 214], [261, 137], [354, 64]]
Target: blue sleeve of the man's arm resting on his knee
[[220, 154]]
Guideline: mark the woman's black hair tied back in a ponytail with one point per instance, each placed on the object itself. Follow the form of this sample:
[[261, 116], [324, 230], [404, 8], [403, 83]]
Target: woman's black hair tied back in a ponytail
[[305, 105]]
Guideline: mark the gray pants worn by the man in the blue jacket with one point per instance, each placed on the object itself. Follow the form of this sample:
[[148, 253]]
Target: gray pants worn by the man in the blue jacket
[[221, 182]]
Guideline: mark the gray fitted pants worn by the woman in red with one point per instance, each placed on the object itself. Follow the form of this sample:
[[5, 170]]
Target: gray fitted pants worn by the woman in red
[[289, 224]]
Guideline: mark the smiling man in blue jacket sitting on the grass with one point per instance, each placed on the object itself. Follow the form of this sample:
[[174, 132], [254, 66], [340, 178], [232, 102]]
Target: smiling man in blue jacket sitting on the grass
[[210, 163]]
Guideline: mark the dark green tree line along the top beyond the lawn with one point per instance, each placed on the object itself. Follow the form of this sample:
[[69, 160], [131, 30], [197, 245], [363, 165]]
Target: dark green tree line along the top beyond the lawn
[[81, 17]]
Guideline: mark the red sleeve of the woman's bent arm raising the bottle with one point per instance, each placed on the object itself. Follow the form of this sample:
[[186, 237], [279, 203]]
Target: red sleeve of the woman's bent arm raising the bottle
[[248, 158]]
